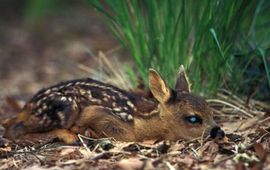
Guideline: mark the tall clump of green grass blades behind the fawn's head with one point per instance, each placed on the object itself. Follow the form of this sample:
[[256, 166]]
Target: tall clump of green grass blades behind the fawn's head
[[205, 36]]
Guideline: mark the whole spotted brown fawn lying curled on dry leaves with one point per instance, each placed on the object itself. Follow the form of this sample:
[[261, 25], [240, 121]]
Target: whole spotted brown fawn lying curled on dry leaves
[[96, 109]]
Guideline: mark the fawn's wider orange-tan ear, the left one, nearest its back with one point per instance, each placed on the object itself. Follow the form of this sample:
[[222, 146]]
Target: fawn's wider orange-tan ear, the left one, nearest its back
[[158, 87]]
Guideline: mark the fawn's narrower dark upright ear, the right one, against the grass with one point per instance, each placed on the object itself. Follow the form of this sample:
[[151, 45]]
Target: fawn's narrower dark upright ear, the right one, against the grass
[[182, 83]]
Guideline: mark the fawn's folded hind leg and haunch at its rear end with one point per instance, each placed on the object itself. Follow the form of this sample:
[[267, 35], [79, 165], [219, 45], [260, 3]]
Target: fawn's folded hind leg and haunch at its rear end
[[61, 115]]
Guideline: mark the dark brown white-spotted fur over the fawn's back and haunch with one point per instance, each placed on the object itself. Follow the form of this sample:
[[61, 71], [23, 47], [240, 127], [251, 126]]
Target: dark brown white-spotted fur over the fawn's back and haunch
[[54, 106]]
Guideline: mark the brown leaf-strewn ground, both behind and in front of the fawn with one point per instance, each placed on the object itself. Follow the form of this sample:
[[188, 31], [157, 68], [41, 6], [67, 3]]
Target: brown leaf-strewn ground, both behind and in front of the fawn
[[63, 47]]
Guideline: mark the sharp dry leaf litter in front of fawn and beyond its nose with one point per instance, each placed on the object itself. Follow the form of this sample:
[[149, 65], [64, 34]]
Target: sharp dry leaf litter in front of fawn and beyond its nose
[[247, 145]]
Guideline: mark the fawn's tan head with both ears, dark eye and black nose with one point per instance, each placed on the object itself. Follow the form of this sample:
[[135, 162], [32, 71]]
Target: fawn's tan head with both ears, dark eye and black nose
[[191, 113]]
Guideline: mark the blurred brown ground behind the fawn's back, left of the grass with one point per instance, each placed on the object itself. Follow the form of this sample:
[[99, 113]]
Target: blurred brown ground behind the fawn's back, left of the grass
[[49, 51]]
